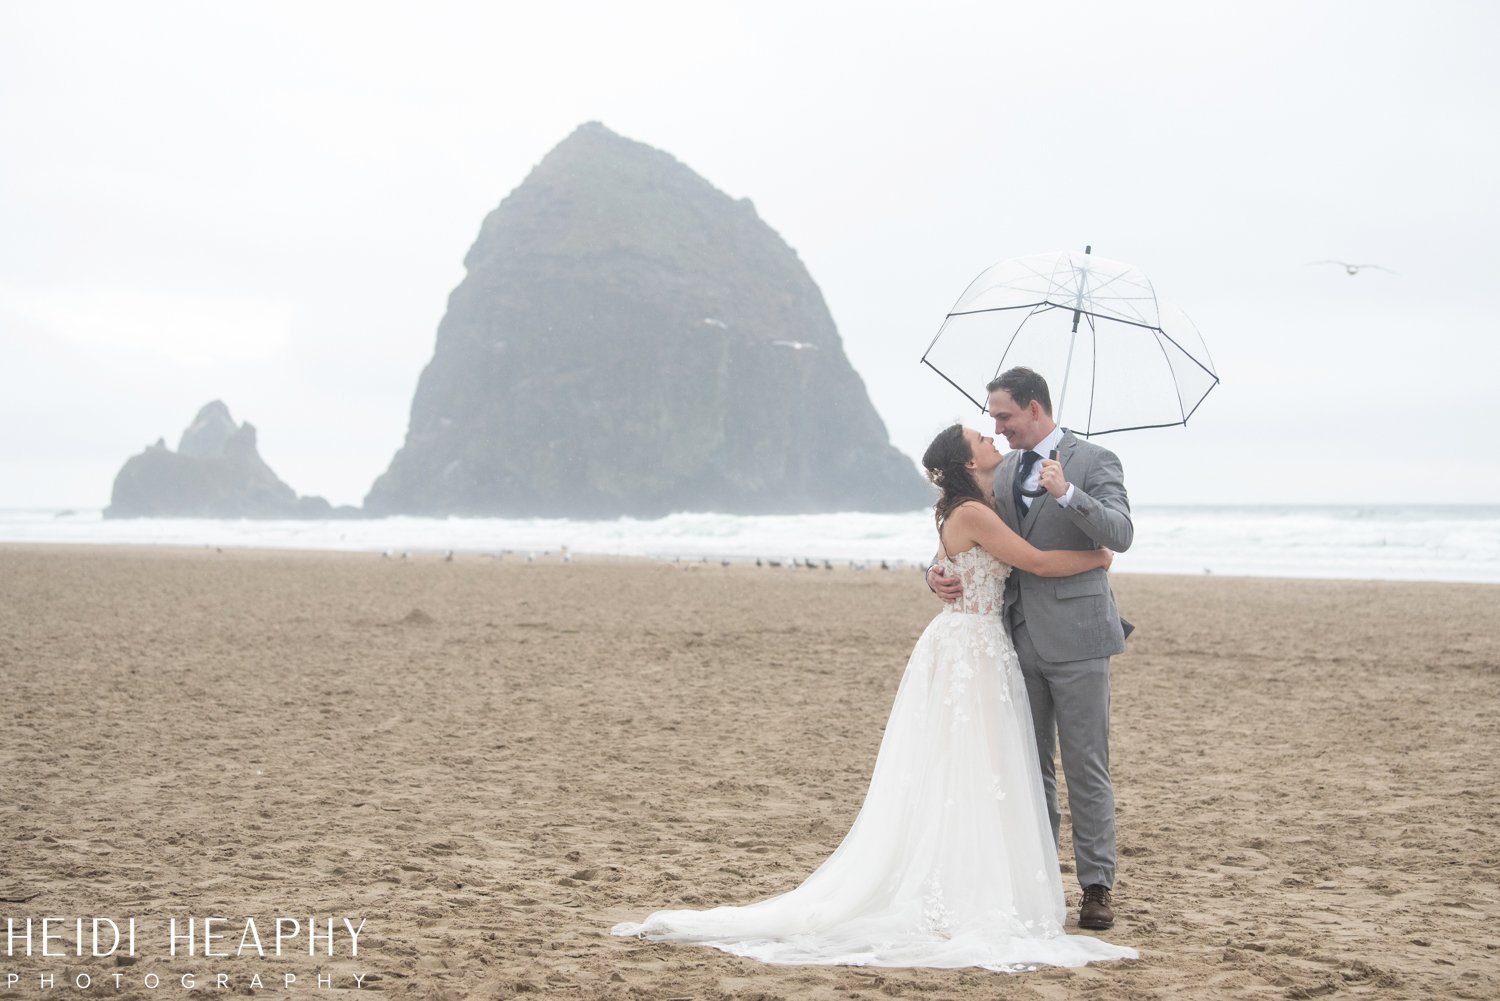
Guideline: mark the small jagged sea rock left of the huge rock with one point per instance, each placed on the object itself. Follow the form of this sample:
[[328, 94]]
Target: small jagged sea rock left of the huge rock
[[215, 473]]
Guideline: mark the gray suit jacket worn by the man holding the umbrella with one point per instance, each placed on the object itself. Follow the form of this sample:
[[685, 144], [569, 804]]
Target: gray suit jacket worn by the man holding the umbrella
[[1072, 618]]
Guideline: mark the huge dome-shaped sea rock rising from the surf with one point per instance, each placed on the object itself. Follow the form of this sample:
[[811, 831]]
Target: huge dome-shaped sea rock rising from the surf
[[632, 341]]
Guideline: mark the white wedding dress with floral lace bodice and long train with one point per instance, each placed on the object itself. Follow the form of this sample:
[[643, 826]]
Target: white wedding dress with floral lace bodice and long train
[[950, 862]]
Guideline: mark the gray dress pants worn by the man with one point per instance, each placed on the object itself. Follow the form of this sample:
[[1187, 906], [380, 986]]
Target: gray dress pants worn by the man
[[1072, 706]]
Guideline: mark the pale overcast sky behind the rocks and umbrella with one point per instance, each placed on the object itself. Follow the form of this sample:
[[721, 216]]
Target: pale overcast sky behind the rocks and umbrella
[[269, 203]]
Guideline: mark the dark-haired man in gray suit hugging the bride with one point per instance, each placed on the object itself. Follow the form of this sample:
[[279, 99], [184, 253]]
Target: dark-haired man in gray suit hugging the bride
[[1066, 630]]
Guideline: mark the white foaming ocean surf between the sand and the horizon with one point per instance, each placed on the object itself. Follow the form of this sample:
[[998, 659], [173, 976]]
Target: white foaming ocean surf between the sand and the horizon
[[1456, 544]]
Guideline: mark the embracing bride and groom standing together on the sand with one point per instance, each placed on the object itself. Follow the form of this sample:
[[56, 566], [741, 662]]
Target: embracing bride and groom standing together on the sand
[[953, 858]]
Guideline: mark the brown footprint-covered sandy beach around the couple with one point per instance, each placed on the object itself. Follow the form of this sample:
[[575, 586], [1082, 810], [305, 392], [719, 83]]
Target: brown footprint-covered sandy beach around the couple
[[491, 763]]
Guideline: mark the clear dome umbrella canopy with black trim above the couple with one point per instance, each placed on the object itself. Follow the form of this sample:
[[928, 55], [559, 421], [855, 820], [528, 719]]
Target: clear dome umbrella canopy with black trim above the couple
[[1117, 356]]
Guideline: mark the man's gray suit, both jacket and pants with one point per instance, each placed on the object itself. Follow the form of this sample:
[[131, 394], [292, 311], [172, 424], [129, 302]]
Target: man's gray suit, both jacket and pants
[[1066, 633]]
